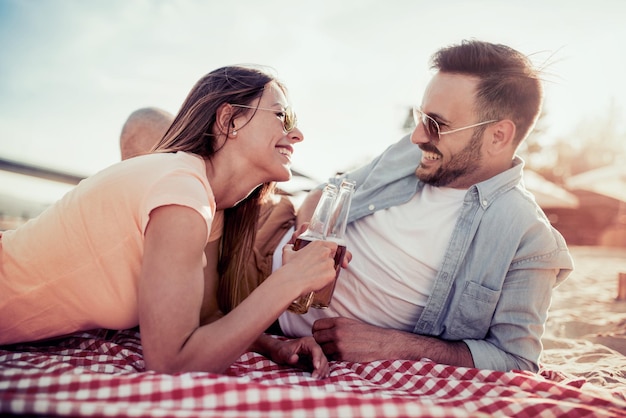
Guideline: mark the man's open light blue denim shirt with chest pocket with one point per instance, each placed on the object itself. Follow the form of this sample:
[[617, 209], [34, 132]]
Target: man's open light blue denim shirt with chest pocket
[[494, 287]]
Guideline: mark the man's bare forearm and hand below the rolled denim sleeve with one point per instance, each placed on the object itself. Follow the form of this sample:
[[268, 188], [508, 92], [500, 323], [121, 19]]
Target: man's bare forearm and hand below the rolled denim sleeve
[[351, 340]]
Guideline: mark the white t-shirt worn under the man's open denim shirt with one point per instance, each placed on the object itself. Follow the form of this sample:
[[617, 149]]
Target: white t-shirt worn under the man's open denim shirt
[[396, 254]]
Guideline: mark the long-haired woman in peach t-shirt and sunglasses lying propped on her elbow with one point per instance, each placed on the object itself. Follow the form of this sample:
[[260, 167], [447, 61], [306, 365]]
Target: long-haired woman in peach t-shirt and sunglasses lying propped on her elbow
[[128, 246]]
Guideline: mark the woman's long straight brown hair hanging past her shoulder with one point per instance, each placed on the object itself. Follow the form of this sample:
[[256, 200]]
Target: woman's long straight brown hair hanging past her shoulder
[[193, 131]]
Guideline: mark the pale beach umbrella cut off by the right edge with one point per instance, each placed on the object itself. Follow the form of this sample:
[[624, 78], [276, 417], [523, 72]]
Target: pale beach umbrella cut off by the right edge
[[607, 181]]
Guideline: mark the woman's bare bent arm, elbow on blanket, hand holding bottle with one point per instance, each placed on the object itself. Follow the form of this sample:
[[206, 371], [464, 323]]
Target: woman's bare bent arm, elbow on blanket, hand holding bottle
[[171, 290]]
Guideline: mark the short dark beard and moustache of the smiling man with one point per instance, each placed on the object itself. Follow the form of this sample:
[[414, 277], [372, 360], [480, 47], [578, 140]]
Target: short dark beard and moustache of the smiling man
[[466, 161]]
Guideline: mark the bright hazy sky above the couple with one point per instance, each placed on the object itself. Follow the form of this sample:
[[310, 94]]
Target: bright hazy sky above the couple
[[71, 71]]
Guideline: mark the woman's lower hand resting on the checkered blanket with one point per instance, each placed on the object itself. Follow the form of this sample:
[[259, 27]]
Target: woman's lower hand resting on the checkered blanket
[[303, 353]]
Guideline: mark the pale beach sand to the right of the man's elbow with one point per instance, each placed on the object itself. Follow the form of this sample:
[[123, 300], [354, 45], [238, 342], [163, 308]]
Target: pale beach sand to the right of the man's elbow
[[586, 329]]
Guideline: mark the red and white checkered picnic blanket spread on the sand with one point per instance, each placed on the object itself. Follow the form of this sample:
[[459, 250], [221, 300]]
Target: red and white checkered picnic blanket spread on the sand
[[101, 373]]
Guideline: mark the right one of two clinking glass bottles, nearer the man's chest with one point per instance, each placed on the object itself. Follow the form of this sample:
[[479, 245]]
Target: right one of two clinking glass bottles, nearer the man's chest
[[335, 231]]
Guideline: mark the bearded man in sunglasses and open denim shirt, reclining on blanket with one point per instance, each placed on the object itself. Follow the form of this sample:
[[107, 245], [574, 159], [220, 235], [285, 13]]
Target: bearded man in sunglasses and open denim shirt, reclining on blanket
[[452, 259]]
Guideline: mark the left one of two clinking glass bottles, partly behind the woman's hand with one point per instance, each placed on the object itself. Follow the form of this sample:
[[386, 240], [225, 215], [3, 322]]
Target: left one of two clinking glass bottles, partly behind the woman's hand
[[315, 231]]
